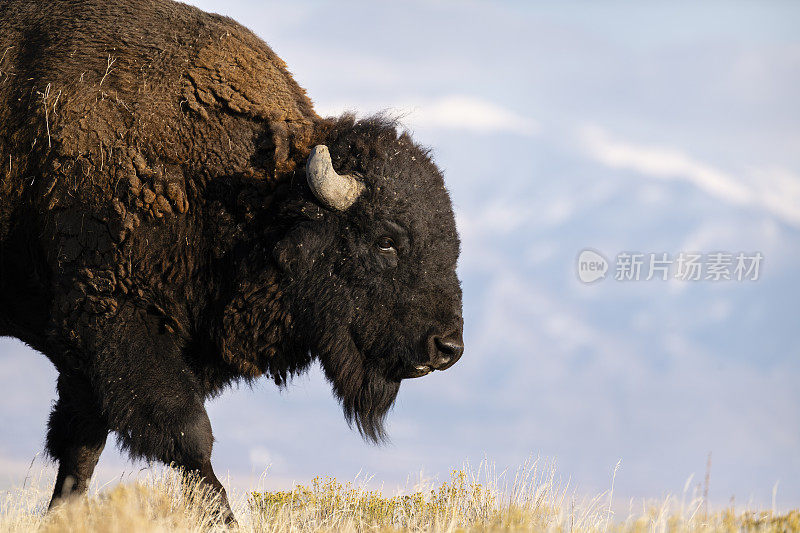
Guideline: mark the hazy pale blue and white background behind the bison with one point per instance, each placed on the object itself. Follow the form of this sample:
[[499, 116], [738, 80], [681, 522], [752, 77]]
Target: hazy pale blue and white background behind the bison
[[559, 127]]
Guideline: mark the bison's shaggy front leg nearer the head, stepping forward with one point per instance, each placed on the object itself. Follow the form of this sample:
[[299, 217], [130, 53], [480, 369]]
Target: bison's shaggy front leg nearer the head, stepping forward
[[154, 401]]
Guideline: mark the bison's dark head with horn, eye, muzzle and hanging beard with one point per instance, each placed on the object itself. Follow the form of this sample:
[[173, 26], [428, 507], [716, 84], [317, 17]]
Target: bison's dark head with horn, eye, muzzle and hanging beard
[[379, 300]]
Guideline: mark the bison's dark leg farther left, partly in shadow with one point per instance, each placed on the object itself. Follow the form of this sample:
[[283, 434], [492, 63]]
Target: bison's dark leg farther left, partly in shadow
[[76, 437]]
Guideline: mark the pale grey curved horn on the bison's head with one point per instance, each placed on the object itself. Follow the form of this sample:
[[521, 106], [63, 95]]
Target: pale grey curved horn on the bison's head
[[334, 190]]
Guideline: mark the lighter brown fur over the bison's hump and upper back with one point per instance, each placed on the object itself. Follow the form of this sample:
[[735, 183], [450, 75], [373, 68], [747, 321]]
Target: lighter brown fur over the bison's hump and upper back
[[165, 78]]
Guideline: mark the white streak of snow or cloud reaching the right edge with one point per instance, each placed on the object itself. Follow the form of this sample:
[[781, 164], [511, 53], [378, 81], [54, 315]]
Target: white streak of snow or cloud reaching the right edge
[[775, 191]]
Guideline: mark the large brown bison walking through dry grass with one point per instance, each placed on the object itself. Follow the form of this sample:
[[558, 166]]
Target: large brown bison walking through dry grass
[[175, 217]]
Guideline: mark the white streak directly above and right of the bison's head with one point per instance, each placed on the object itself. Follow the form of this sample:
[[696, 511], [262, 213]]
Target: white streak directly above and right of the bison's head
[[453, 112]]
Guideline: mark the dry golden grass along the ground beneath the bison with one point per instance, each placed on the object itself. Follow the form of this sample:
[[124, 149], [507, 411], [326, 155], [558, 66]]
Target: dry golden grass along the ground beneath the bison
[[534, 499]]
